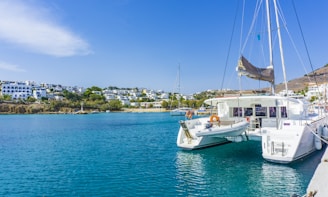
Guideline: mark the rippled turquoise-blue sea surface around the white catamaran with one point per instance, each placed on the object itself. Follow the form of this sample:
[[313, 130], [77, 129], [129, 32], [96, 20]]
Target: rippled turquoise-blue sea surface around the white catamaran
[[133, 154]]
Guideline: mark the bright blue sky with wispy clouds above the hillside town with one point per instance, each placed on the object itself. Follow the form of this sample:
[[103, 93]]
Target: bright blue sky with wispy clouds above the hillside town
[[140, 43]]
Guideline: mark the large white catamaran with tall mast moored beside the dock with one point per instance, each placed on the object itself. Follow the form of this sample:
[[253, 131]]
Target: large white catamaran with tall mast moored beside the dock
[[284, 126]]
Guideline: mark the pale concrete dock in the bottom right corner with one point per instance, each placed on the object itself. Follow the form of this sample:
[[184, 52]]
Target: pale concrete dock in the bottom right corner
[[318, 186]]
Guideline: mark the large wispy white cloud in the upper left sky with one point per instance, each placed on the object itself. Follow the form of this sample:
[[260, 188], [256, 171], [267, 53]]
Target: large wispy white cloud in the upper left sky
[[31, 27]]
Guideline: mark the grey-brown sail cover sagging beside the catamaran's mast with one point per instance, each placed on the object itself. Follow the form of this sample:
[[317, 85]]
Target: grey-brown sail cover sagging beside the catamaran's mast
[[246, 68]]
